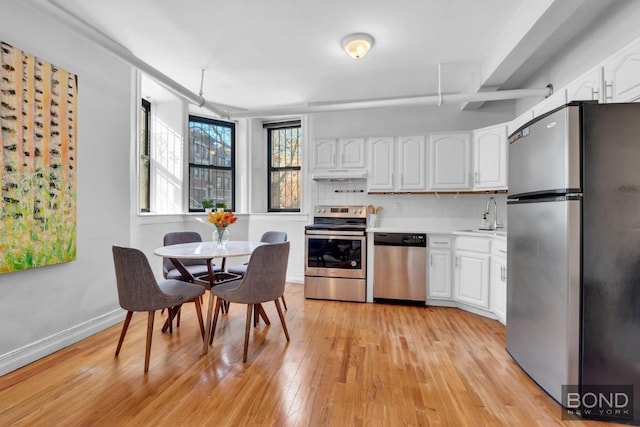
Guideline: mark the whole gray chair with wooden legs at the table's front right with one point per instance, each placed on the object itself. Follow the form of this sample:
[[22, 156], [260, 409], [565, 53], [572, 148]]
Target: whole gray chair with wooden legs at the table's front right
[[264, 281]]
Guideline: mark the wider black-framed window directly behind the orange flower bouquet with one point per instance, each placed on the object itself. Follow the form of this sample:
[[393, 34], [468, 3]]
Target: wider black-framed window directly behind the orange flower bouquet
[[211, 162]]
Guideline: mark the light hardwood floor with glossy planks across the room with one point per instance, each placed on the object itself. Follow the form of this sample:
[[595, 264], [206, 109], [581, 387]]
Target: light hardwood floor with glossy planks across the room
[[347, 364]]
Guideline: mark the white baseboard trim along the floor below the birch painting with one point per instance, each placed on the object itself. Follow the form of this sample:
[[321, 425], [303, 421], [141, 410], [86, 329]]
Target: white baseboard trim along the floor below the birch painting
[[31, 352]]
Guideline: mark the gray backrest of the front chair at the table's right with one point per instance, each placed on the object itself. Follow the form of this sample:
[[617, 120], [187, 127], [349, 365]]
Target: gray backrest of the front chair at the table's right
[[266, 274]]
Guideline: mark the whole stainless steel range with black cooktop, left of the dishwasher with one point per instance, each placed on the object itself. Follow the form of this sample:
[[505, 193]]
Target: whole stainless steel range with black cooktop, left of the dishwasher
[[336, 254]]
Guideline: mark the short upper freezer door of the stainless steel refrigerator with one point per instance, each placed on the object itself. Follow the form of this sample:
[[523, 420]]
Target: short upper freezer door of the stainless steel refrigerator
[[544, 157]]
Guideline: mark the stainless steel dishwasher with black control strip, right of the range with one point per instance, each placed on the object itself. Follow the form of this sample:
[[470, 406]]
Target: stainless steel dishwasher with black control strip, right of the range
[[400, 267]]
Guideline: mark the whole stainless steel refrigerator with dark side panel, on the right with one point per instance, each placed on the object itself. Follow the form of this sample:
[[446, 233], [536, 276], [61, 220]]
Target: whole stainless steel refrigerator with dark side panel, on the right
[[573, 209]]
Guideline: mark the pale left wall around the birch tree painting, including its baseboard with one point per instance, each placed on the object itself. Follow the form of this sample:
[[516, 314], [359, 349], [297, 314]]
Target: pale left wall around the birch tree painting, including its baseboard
[[47, 308]]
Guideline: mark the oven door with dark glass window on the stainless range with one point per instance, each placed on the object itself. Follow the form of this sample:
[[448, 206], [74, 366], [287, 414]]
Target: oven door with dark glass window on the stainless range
[[335, 255]]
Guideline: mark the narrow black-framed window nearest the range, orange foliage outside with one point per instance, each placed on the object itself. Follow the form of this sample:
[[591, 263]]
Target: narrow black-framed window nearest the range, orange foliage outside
[[284, 166]]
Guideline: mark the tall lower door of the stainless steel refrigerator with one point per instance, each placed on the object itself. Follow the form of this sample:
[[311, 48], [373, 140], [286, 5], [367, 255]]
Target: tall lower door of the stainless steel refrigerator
[[543, 291]]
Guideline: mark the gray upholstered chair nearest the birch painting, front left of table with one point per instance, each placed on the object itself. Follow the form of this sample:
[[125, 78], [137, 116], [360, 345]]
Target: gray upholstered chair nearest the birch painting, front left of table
[[138, 290]]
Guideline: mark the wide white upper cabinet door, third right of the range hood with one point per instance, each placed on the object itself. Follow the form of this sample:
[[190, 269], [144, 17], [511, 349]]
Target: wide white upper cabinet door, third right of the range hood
[[449, 161]]
